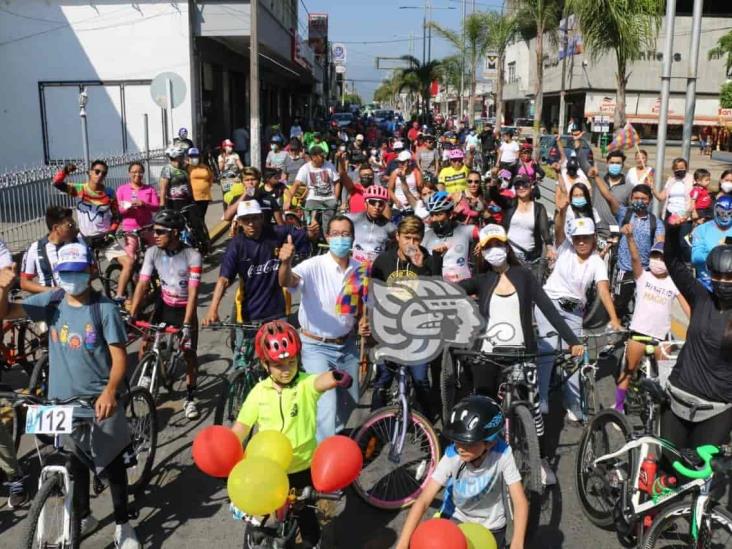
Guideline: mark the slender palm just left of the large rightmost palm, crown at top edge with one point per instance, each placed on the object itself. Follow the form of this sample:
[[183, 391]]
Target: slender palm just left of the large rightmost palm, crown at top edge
[[537, 17]]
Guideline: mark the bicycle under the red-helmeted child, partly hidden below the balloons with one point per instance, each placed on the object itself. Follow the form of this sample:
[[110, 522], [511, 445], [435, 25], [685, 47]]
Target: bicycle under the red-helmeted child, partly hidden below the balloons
[[284, 527]]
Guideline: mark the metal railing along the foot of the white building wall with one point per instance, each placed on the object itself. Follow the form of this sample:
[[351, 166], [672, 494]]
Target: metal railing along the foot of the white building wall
[[25, 194]]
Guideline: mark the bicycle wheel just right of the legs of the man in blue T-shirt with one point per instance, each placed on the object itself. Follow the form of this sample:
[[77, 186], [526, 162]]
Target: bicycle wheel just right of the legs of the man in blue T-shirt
[[143, 425]]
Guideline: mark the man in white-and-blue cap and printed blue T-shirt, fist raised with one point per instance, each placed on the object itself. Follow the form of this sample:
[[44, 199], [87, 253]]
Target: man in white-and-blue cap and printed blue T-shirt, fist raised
[[86, 357]]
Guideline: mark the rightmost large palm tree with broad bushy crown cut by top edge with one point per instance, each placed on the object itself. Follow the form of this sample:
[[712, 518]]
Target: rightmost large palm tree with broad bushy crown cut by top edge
[[624, 27]]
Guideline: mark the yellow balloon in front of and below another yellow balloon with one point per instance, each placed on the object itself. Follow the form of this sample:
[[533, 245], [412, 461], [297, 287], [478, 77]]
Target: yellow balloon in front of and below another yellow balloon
[[258, 486]]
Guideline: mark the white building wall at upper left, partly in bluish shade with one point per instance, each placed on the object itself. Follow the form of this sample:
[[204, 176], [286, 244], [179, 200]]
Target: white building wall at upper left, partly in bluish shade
[[77, 40]]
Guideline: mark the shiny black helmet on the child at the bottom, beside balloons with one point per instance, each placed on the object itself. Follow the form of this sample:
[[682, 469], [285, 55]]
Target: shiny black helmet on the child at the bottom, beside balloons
[[474, 419]]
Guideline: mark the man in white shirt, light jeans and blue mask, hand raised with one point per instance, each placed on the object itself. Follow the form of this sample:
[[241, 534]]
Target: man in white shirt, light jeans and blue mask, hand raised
[[328, 336]]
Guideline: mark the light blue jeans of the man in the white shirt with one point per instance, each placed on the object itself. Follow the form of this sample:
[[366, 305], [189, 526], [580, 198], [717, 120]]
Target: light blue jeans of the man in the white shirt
[[335, 406]]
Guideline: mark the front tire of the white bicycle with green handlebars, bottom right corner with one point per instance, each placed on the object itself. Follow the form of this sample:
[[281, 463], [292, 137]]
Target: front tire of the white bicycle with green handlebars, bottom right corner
[[721, 520]]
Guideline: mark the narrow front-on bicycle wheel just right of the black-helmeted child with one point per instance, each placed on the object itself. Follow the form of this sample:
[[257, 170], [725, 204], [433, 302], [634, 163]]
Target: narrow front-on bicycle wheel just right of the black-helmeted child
[[525, 445]]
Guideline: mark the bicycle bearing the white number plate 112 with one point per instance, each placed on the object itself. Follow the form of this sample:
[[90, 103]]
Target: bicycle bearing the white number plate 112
[[52, 520]]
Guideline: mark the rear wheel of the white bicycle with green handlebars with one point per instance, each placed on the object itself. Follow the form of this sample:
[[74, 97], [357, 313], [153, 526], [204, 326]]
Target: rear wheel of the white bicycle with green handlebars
[[599, 516]]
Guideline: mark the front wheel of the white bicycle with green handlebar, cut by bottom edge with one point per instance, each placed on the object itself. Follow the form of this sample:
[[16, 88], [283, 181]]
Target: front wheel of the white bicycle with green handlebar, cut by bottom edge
[[672, 528]]
